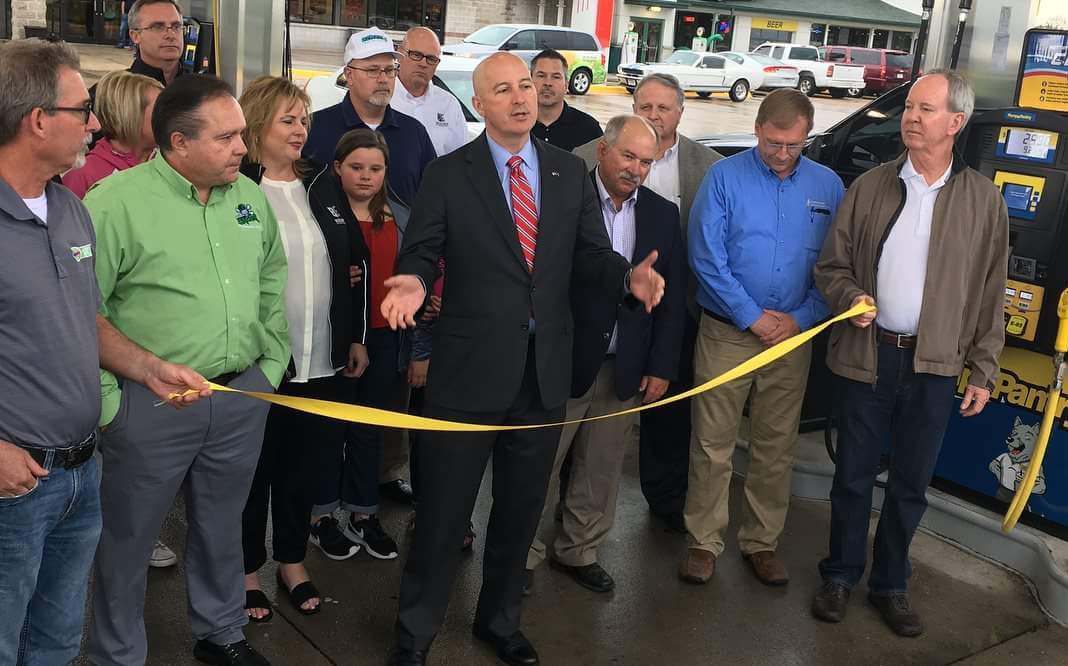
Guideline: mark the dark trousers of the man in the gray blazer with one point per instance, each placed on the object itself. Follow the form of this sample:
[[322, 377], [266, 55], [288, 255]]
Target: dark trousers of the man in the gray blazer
[[664, 461]]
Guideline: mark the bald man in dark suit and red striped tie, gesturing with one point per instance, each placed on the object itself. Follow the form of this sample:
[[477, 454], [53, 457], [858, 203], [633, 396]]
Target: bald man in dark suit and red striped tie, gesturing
[[502, 346]]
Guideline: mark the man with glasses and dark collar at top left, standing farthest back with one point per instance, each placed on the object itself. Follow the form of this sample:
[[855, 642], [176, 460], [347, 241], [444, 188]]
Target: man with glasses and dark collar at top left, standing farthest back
[[156, 30]]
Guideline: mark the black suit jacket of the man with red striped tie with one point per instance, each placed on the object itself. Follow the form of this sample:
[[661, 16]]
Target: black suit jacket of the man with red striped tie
[[482, 337]]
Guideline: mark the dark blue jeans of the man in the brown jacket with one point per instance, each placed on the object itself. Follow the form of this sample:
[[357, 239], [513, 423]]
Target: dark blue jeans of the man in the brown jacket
[[904, 417]]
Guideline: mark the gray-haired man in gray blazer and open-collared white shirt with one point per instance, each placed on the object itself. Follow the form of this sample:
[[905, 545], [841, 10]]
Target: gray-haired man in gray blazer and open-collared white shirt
[[677, 176]]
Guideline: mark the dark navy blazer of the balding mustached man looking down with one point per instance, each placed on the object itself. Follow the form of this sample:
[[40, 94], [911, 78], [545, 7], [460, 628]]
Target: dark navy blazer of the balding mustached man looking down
[[647, 344]]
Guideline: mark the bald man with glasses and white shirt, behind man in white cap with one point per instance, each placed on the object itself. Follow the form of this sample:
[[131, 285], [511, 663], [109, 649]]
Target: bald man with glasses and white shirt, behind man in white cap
[[417, 96]]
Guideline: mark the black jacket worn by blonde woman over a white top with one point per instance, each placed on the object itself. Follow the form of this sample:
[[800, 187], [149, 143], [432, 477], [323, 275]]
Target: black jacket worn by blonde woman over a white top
[[345, 247]]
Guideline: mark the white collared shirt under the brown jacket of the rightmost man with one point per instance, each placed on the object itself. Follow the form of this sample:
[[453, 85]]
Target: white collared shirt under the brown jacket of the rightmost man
[[903, 266]]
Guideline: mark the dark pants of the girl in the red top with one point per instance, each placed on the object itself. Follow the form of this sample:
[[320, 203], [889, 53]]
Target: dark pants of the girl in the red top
[[353, 483]]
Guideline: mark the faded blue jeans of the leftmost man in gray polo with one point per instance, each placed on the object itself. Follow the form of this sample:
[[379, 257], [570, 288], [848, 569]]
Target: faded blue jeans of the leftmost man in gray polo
[[48, 543]]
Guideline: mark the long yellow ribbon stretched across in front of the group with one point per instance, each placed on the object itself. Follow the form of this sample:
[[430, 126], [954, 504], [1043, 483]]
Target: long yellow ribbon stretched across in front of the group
[[372, 417]]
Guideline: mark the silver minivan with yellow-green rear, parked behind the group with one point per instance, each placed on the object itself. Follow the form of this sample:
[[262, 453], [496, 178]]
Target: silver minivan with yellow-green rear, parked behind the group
[[586, 60]]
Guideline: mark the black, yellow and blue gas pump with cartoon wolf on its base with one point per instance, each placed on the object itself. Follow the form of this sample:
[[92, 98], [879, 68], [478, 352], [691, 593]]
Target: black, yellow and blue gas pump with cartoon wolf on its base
[[1024, 150]]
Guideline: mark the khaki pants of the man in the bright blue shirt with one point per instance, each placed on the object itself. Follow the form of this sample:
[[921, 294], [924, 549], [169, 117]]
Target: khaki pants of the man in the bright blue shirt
[[776, 394]]
